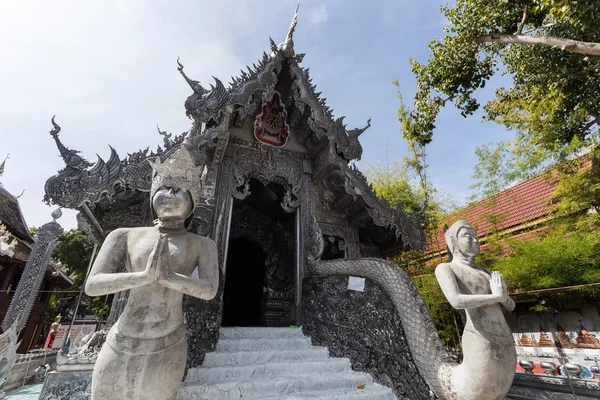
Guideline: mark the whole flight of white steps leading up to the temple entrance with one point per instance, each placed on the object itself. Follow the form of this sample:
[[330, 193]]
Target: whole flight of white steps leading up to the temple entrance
[[276, 363]]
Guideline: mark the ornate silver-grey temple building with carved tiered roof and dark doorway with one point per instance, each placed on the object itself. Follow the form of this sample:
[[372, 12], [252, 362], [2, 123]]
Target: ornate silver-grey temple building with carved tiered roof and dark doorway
[[280, 194]]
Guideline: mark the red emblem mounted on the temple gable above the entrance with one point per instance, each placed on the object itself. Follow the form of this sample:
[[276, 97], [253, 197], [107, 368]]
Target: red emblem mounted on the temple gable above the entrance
[[270, 126]]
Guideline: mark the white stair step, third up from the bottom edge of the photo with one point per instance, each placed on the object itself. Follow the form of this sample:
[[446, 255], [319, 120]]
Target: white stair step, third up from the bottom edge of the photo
[[212, 375]]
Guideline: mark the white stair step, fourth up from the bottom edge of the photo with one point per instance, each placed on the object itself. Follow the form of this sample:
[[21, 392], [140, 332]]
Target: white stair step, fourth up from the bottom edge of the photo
[[239, 358]]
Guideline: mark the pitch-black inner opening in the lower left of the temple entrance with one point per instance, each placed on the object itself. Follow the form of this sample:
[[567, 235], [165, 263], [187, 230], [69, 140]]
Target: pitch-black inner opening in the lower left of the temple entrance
[[244, 284]]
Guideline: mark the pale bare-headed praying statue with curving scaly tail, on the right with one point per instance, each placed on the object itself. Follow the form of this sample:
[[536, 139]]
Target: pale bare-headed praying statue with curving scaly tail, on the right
[[490, 358]]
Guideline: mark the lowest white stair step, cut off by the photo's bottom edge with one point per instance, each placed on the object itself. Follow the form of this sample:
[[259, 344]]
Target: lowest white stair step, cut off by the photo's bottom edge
[[372, 392]]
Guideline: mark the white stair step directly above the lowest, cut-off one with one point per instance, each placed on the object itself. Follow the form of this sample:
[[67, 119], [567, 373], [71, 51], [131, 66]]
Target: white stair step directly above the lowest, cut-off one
[[277, 388]]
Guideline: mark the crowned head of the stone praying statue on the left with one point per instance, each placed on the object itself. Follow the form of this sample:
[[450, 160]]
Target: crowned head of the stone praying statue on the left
[[176, 186]]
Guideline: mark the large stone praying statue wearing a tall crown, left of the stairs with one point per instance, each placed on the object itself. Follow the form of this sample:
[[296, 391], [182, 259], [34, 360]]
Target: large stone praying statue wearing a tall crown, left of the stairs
[[145, 351]]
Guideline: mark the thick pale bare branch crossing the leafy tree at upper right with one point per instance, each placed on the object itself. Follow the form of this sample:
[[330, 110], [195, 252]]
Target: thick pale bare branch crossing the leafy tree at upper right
[[572, 46]]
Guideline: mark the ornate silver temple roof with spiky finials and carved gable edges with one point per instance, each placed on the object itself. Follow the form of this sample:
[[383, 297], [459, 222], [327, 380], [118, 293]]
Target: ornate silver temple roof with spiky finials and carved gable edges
[[215, 110]]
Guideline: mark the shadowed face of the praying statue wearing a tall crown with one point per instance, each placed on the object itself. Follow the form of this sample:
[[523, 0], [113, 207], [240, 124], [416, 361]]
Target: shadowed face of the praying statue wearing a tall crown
[[172, 203]]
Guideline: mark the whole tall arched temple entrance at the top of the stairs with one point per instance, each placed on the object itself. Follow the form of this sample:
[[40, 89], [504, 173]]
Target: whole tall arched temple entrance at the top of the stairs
[[260, 269]]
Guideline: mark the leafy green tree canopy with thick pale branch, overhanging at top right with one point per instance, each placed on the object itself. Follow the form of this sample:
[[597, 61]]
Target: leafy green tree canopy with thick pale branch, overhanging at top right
[[551, 50]]
